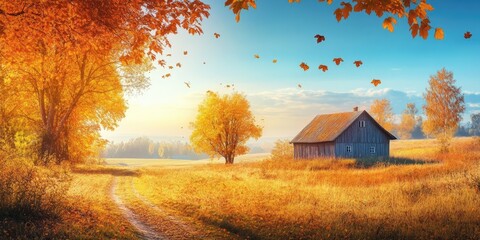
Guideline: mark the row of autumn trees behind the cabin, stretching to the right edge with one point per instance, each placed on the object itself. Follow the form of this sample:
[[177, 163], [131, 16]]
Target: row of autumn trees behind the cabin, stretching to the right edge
[[442, 113]]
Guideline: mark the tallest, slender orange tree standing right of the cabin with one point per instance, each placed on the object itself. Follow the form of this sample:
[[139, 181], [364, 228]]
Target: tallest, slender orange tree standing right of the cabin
[[444, 107]]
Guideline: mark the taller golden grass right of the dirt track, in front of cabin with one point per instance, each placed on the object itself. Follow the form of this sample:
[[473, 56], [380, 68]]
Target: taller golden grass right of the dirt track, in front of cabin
[[429, 196]]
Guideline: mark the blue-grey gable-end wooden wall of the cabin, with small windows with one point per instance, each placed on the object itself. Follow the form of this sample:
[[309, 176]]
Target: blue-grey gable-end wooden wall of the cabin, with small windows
[[361, 139]]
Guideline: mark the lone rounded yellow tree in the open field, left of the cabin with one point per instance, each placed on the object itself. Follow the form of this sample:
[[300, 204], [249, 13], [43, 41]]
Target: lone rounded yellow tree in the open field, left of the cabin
[[223, 125]]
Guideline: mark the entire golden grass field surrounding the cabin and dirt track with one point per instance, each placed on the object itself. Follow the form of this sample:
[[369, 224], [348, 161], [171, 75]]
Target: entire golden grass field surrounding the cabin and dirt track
[[419, 193]]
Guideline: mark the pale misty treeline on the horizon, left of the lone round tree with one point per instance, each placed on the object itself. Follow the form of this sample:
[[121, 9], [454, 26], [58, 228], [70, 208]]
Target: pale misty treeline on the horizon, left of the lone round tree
[[144, 147]]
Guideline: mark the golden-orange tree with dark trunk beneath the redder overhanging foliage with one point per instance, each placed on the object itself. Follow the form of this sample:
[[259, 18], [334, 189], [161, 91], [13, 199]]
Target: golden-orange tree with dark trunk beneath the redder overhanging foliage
[[73, 97]]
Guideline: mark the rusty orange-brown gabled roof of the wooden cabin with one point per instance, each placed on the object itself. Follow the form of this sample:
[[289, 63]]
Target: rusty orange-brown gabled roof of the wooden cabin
[[327, 127]]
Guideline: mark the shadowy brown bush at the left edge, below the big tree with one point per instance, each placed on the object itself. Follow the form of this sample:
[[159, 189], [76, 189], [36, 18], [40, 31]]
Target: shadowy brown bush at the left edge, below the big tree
[[28, 191]]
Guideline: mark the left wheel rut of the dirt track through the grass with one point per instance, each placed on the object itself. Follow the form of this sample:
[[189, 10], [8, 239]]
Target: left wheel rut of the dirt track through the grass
[[146, 231]]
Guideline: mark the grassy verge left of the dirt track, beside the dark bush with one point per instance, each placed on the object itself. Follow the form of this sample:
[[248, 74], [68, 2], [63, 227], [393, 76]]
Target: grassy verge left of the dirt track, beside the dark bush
[[86, 213]]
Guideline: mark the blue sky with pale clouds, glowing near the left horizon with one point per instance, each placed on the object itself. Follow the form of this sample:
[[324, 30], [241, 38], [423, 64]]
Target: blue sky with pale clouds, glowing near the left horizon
[[283, 31]]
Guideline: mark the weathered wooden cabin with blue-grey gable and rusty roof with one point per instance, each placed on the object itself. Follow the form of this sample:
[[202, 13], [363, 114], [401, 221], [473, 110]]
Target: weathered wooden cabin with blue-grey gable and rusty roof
[[342, 135]]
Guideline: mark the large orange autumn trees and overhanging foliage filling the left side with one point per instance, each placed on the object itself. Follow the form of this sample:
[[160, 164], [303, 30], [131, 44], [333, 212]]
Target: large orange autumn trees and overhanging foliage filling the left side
[[71, 63]]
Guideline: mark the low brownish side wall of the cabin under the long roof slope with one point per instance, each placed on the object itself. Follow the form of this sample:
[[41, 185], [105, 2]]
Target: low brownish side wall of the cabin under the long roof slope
[[313, 150]]
